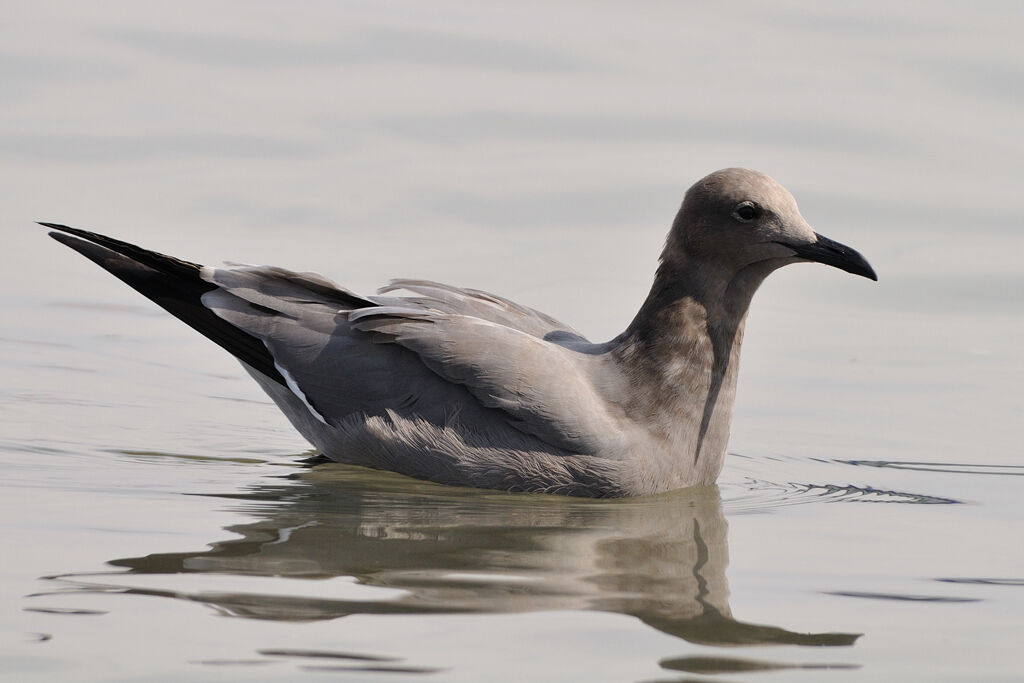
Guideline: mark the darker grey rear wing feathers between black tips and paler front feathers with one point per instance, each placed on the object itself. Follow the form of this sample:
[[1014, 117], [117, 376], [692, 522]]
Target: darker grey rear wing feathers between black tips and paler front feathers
[[336, 371]]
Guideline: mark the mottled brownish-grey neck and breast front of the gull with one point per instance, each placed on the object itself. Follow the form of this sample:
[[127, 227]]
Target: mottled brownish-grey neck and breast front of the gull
[[686, 341]]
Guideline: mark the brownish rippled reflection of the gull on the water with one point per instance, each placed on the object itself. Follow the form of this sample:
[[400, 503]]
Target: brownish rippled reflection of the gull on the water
[[660, 559]]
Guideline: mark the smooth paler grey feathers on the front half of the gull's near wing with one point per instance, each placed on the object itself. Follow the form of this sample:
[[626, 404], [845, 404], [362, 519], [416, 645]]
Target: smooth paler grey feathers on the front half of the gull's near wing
[[545, 390]]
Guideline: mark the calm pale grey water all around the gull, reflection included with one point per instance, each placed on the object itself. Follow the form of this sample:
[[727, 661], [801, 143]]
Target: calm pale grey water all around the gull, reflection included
[[161, 521]]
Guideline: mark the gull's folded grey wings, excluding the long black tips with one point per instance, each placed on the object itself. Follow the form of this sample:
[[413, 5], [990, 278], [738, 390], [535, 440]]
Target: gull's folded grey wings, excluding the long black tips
[[409, 356]]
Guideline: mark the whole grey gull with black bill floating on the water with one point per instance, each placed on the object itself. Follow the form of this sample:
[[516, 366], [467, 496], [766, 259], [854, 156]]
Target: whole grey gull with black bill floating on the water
[[463, 388]]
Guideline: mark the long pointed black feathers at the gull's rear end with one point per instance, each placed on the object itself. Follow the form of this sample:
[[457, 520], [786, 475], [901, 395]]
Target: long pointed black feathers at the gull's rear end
[[174, 285]]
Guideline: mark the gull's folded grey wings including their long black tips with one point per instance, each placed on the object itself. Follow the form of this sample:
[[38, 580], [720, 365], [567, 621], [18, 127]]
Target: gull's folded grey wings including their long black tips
[[445, 356]]
